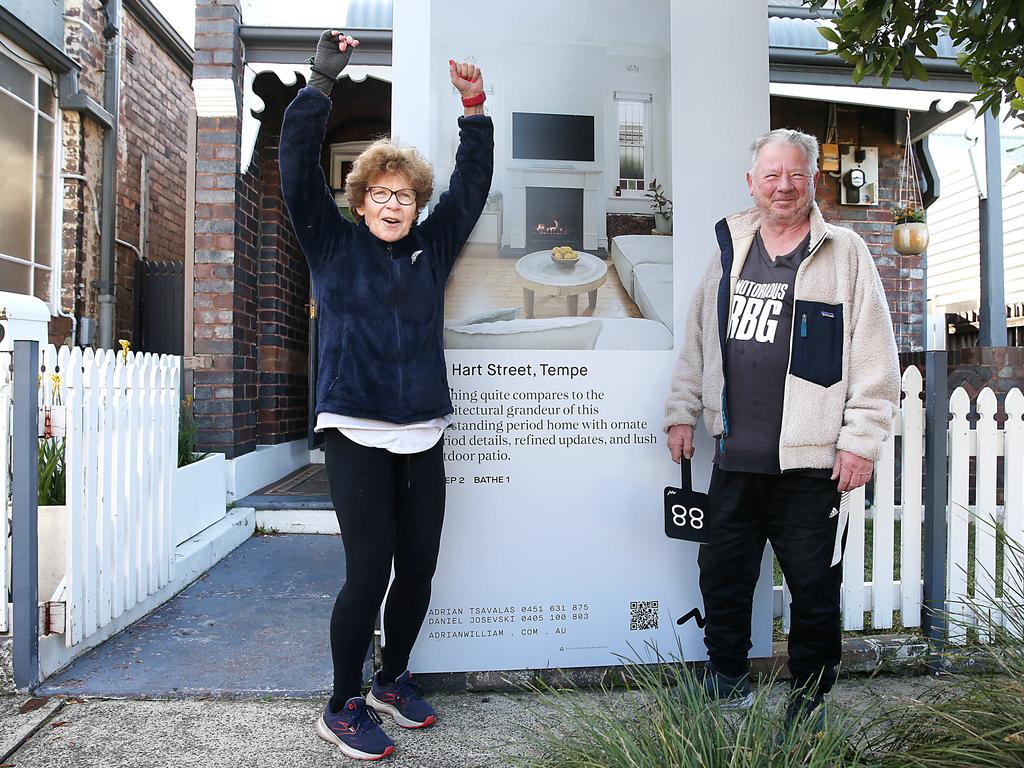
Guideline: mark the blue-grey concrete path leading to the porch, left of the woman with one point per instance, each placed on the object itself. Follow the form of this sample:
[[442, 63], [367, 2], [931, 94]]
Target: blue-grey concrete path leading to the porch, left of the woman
[[255, 625]]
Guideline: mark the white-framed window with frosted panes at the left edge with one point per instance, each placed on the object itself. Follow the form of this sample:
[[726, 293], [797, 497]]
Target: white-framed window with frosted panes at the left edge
[[28, 134]]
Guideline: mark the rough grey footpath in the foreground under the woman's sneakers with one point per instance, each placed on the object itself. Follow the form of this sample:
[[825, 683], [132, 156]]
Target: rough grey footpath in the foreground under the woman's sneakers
[[476, 731]]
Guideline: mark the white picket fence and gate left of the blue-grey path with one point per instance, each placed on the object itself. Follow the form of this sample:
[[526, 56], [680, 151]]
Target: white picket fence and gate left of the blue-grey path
[[119, 416]]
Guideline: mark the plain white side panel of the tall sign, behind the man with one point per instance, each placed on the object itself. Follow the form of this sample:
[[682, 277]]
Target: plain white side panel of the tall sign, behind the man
[[719, 105]]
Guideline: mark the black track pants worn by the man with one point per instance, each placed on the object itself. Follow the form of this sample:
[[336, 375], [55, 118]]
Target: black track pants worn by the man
[[796, 515]]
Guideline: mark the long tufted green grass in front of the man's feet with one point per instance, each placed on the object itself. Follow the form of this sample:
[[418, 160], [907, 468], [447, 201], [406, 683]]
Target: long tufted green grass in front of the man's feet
[[662, 719]]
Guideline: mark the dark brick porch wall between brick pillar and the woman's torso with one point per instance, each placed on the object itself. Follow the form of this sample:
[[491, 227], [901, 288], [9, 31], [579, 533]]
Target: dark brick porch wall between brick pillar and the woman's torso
[[283, 315]]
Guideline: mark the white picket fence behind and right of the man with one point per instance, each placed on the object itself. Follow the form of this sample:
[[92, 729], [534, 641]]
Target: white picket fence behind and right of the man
[[881, 592]]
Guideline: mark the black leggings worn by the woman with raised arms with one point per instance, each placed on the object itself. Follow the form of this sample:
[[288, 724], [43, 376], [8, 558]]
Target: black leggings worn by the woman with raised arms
[[389, 505]]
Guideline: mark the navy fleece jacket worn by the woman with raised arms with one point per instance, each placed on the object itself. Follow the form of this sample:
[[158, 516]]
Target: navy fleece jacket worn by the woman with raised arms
[[380, 306]]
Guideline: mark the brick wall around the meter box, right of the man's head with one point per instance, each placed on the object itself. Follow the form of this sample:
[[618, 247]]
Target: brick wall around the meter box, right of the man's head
[[903, 277]]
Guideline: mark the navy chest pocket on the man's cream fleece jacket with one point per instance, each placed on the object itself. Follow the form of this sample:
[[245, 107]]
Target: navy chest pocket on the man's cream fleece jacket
[[818, 343]]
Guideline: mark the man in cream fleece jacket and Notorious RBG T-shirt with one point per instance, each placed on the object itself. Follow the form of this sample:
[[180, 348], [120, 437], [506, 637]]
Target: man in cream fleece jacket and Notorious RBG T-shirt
[[790, 357]]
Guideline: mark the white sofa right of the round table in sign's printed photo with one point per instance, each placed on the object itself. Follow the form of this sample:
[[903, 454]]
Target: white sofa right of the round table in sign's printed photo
[[645, 267]]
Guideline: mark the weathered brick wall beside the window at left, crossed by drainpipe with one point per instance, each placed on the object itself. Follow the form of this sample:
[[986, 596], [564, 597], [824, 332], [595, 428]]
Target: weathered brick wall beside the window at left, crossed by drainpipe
[[156, 95]]
